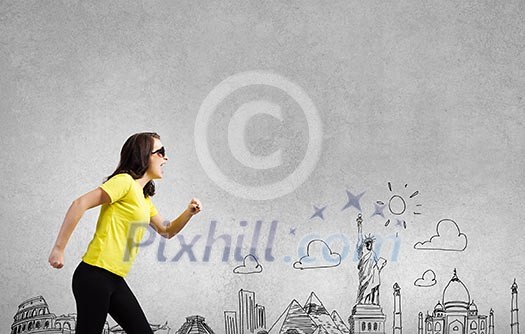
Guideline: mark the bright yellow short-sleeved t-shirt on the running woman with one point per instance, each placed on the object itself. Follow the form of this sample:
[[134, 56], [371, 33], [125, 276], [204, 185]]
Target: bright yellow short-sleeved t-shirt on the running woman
[[120, 225]]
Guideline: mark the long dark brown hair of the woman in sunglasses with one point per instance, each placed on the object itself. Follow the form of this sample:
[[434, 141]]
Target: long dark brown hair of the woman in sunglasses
[[134, 158]]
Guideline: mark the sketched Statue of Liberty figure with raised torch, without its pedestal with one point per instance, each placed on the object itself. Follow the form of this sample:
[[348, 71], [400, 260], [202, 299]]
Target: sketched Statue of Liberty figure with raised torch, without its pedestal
[[369, 267]]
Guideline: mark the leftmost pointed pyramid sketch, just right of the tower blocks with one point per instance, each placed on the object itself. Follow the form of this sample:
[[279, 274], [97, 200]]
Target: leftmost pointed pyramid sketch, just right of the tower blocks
[[294, 318]]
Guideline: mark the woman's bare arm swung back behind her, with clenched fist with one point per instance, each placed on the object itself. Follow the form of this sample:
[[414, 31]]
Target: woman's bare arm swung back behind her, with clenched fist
[[85, 202]]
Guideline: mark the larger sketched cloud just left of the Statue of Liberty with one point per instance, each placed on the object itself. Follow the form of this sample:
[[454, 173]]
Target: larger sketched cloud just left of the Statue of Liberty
[[318, 255]]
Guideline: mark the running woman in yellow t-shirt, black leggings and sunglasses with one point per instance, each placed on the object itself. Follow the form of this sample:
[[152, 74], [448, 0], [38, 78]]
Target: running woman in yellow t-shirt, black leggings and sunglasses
[[98, 282]]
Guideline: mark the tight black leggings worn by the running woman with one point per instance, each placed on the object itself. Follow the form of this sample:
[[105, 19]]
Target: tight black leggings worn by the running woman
[[99, 292]]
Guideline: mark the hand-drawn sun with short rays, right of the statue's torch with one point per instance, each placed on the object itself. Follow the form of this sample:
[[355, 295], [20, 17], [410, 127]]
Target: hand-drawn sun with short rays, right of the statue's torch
[[400, 206]]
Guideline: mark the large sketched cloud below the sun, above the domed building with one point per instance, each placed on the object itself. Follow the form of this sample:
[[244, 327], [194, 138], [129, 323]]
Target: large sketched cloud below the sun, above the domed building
[[448, 238]]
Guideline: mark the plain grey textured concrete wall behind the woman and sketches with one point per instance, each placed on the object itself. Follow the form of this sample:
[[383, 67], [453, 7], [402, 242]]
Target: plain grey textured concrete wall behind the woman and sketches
[[302, 113]]
